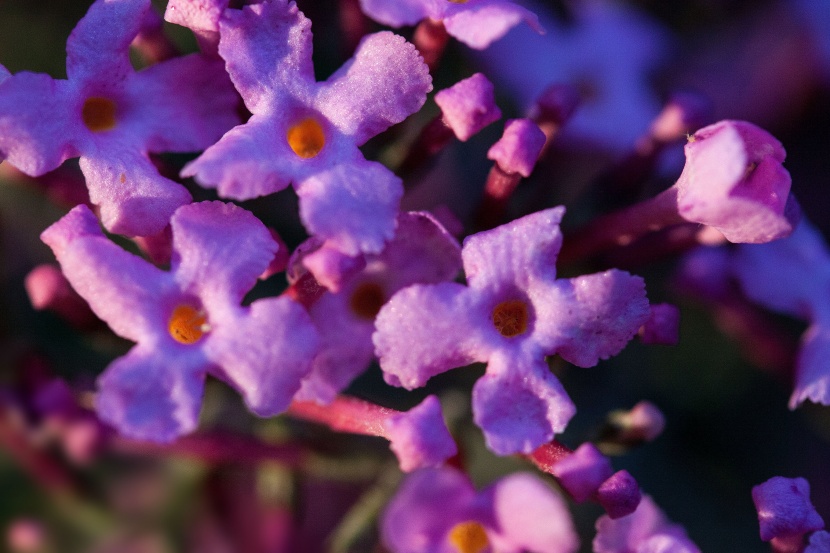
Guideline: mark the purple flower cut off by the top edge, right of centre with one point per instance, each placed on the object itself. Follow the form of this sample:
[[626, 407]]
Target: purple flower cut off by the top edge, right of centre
[[476, 23]]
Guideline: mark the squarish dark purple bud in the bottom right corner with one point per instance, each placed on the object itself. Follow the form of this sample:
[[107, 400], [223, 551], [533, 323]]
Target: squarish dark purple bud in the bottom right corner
[[784, 508]]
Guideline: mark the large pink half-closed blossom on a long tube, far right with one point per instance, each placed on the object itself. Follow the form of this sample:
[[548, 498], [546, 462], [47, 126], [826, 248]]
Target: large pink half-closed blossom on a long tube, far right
[[733, 180]]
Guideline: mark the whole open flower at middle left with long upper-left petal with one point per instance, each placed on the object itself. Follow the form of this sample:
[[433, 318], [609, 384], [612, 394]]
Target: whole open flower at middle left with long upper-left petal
[[187, 322]]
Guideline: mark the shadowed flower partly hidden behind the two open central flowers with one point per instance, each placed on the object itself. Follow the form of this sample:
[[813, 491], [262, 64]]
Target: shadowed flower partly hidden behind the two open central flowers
[[421, 252]]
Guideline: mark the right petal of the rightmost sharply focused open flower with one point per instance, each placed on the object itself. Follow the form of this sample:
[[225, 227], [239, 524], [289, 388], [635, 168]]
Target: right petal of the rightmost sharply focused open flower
[[591, 317]]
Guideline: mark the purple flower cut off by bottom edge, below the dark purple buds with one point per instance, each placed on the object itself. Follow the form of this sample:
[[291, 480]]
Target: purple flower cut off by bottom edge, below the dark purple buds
[[646, 530]]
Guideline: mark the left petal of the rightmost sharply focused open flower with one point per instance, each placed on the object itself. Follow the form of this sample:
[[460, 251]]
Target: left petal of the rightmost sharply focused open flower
[[425, 330]]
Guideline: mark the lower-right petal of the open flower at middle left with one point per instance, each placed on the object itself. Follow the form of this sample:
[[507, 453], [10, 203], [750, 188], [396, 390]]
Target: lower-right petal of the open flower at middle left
[[264, 351]]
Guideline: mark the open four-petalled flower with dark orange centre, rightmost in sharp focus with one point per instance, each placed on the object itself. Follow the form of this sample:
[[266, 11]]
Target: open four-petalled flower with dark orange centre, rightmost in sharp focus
[[511, 315]]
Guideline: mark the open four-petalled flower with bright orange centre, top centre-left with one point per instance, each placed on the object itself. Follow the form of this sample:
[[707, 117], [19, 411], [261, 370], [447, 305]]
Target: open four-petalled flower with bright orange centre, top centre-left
[[308, 133]]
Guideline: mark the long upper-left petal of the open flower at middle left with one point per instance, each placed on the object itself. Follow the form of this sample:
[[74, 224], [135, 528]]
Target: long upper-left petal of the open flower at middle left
[[122, 289]]
